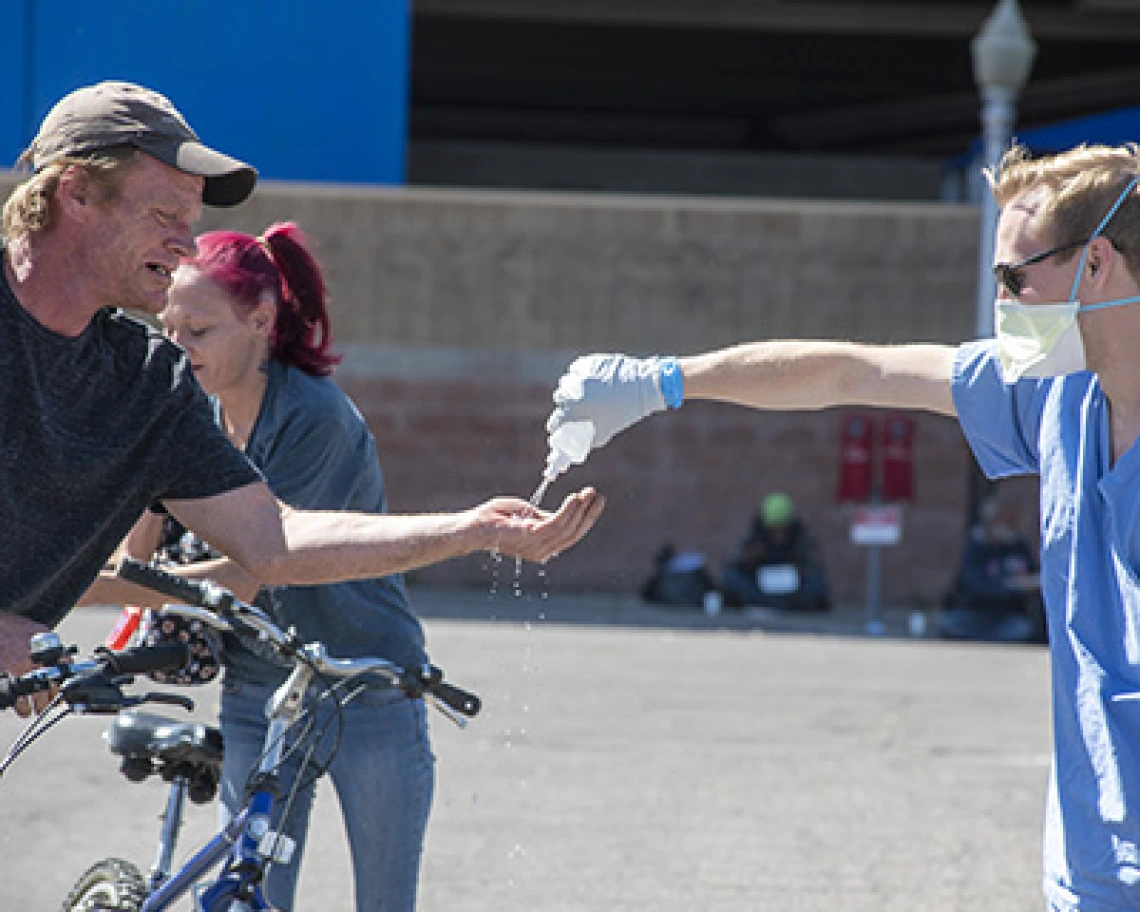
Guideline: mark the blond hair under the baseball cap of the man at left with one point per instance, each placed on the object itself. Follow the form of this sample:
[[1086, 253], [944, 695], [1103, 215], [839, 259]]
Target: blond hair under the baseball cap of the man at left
[[29, 211]]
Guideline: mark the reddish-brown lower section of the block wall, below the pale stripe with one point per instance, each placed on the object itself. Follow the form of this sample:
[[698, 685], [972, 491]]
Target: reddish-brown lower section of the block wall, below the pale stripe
[[693, 478]]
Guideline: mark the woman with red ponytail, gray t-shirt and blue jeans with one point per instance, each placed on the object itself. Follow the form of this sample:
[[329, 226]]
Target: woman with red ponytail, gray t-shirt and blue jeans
[[251, 314]]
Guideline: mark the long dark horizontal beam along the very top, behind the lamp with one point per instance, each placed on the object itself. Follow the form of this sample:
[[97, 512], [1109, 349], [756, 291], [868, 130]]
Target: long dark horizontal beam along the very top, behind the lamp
[[1114, 20]]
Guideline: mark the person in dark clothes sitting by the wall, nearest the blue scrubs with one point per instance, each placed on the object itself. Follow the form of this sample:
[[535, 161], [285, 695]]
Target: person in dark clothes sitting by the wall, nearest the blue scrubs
[[996, 595]]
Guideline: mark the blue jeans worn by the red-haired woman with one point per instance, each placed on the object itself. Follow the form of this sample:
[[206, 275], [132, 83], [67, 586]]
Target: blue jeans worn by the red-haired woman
[[384, 772]]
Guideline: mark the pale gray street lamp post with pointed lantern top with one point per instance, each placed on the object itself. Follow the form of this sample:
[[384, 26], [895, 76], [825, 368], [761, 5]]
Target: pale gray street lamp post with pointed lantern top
[[1003, 53]]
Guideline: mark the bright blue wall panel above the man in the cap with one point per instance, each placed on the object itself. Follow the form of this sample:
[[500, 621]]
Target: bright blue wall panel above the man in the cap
[[302, 91]]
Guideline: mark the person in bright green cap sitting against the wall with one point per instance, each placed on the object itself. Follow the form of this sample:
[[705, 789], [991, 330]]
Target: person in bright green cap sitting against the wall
[[779, 563]]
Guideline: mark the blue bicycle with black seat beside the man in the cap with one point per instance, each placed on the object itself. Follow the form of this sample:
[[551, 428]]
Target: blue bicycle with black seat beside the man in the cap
[[190, 754]]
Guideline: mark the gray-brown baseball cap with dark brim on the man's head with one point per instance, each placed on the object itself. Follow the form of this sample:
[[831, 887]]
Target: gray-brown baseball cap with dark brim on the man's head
[[124, 115]]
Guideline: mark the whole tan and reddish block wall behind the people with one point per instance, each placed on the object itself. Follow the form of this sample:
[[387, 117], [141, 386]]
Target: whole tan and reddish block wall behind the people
[[458, 312]]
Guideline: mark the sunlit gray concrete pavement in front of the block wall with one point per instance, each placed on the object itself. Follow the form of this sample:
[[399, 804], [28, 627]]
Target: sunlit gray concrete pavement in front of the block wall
[[637, 760]]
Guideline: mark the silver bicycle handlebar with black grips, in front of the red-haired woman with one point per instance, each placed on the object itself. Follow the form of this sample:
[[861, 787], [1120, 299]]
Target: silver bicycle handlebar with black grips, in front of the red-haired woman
[[219, 608]]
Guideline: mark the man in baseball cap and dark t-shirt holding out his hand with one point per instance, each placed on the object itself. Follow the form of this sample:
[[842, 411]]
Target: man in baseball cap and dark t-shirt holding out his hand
[[102, 417]]
